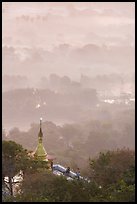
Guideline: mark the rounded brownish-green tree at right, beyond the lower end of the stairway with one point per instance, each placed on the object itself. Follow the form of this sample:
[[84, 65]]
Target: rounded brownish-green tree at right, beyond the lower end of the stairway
[[109, 167]]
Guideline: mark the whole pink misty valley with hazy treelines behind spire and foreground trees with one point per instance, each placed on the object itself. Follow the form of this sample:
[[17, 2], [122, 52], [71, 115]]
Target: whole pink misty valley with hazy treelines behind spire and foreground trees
[[73, 64]]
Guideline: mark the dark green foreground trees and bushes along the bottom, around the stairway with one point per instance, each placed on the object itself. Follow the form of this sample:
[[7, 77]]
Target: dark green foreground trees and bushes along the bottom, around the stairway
[[111, 174]]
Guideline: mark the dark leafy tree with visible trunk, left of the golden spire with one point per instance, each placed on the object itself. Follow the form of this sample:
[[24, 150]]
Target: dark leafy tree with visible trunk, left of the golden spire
[[16, 158]]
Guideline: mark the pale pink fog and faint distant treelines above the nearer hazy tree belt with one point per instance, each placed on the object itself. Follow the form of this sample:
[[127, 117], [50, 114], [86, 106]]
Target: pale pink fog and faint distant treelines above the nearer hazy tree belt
[[66, 61]]
